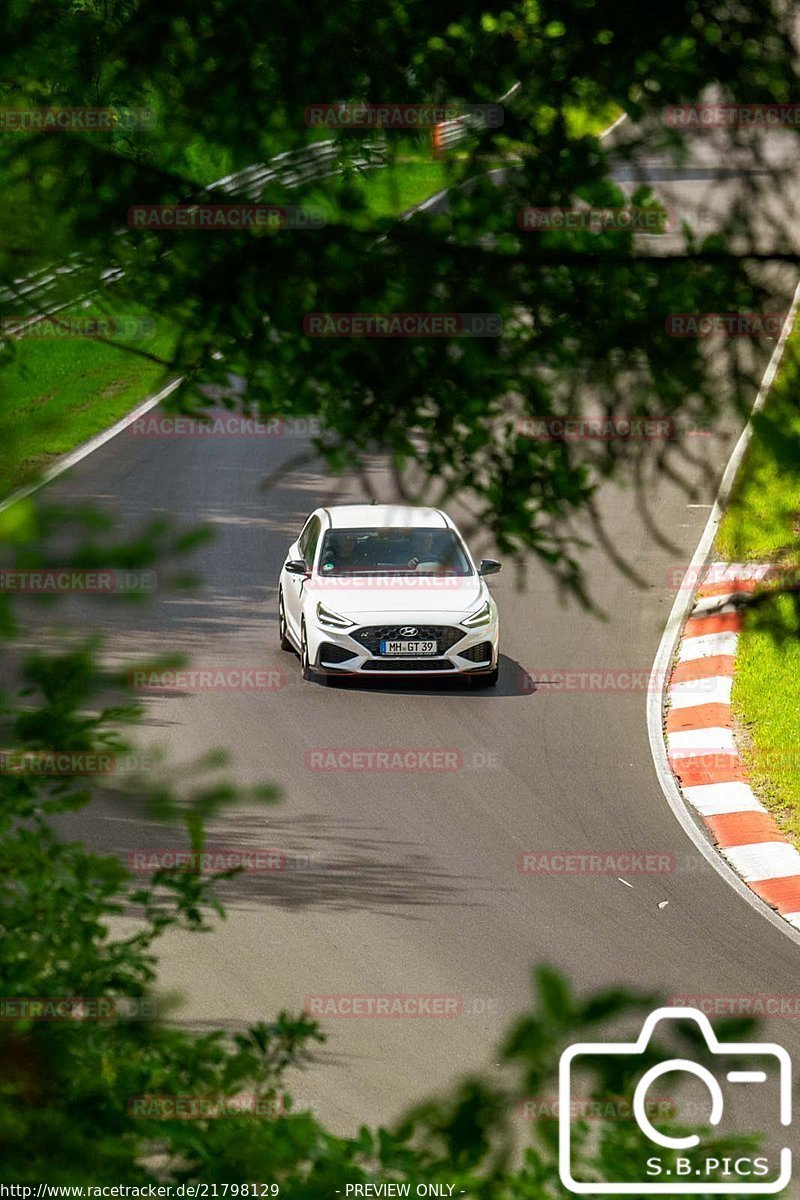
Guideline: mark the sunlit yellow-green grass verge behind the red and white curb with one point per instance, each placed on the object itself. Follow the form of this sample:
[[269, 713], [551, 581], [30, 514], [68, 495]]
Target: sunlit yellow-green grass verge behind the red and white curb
[[763, 525]]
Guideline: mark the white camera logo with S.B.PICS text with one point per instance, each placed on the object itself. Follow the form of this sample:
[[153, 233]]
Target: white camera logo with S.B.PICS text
[[676, 1171]]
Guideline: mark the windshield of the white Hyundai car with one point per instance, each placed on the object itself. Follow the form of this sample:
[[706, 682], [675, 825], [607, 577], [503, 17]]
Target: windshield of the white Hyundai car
[[393, 551]]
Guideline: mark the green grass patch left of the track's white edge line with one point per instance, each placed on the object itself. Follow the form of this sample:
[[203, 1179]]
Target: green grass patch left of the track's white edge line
[[59, 393]]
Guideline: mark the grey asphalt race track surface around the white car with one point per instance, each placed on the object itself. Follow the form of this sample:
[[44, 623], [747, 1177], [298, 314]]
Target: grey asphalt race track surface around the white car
[[408, 883]]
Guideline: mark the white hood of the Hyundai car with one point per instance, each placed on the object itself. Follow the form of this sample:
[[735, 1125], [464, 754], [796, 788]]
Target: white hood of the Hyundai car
[[405, 597]]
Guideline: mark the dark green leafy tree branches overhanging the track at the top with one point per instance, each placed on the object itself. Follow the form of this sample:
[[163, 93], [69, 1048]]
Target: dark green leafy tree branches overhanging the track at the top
[[584, 314]]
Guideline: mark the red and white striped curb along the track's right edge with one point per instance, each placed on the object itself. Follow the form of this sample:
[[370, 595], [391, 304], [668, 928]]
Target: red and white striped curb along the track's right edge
[[702, 751]]
